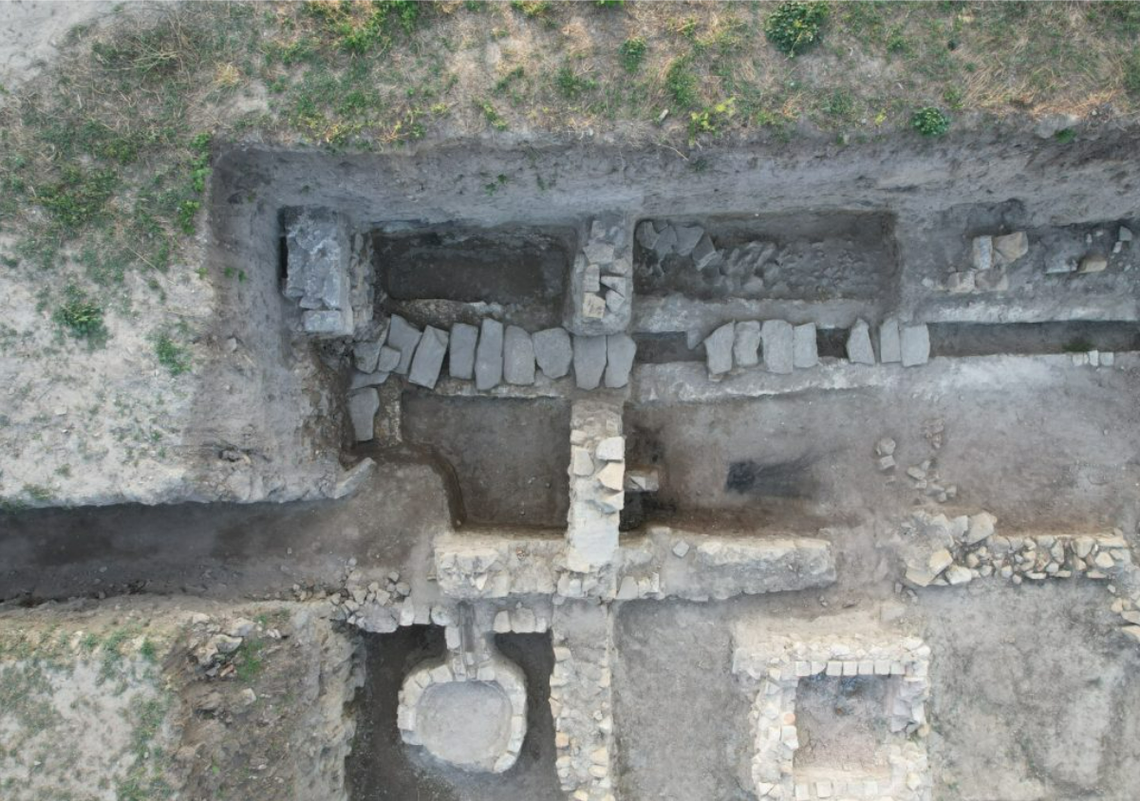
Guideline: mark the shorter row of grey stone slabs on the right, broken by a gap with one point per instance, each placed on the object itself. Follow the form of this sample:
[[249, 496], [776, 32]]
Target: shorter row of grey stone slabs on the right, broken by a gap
[[787, 347]]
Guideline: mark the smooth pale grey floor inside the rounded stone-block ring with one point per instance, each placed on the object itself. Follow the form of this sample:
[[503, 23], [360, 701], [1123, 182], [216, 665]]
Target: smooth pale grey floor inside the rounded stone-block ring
[[467, 724]]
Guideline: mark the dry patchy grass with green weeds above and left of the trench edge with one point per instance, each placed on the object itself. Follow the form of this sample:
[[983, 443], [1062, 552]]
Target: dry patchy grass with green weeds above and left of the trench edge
[[105, 159]]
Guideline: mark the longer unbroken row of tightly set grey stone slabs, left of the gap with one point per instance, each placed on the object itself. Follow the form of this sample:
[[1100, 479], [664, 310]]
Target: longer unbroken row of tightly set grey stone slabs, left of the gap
[[493, 354]]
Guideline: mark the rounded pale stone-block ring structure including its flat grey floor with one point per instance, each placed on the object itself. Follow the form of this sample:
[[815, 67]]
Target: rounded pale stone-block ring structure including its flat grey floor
[[475, 721]]
